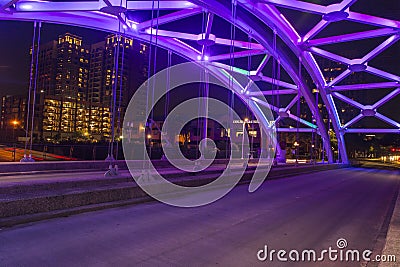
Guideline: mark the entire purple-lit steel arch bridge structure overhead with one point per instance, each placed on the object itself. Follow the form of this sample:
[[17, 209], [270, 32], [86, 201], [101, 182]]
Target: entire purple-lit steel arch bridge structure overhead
[[296, 34]]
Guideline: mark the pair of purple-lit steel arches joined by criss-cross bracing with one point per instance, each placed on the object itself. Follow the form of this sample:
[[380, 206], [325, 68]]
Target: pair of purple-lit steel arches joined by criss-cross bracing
[[253, 18]]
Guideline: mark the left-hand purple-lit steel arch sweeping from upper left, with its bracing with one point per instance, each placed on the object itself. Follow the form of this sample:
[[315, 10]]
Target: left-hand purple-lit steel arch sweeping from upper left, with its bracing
[[107, 15]]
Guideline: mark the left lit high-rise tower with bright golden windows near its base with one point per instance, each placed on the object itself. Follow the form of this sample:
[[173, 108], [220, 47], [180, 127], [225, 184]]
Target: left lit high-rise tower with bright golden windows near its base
[[64, 108]]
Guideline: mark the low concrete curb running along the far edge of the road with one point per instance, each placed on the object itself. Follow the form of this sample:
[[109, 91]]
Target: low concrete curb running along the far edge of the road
[[127, 195]]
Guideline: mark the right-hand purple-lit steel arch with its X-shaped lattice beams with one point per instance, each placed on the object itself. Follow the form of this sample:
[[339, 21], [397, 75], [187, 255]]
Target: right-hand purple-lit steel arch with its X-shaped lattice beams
[[306, 47]]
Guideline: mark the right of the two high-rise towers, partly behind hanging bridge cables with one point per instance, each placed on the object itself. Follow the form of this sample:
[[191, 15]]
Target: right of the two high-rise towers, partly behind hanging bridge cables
[[127, 76]]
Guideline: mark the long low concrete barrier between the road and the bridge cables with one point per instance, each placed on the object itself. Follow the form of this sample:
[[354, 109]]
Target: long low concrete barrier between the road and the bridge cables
[[20, 203]]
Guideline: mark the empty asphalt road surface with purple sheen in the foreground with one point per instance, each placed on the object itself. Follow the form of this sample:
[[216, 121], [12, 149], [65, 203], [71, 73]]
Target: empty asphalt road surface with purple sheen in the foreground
[[310, 211]]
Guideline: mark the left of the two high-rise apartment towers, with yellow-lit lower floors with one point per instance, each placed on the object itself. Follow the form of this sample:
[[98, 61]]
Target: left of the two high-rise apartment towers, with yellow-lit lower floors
[[64, 69]]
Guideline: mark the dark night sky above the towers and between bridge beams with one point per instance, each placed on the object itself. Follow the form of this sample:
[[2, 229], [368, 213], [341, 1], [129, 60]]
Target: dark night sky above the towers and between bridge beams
[[17, 38]]
